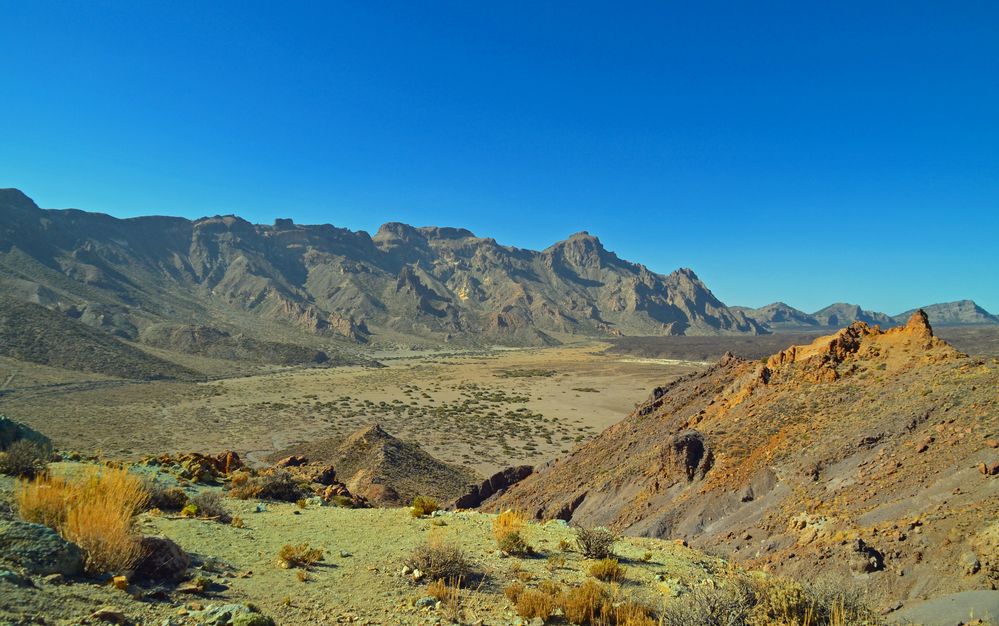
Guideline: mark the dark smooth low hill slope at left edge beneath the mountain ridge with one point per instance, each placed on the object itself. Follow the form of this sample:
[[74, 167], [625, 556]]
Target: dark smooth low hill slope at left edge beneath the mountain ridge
[[30, 332]]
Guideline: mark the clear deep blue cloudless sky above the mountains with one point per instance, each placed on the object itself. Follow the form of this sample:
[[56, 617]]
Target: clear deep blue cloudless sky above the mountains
[[806, 152]]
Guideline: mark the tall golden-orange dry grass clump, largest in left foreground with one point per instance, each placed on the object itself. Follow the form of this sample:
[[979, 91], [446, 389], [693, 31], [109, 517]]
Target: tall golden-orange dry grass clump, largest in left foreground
[[97, 513]]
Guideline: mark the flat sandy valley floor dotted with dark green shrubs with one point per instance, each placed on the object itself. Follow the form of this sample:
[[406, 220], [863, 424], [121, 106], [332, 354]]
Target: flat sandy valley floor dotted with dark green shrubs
[[486, 410]]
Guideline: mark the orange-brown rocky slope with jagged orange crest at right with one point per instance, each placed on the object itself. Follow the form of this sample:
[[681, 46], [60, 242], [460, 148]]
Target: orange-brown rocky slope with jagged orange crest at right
[[867, 452]]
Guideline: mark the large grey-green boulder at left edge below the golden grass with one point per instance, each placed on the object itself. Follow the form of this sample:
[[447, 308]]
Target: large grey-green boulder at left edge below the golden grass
[[38, 549]]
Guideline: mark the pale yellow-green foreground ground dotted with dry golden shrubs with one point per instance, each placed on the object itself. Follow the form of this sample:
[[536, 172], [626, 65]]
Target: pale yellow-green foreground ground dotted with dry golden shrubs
[[302, 563]]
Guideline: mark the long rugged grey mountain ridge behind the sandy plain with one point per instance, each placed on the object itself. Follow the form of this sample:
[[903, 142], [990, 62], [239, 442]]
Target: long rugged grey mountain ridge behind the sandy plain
[[288, 282]]
